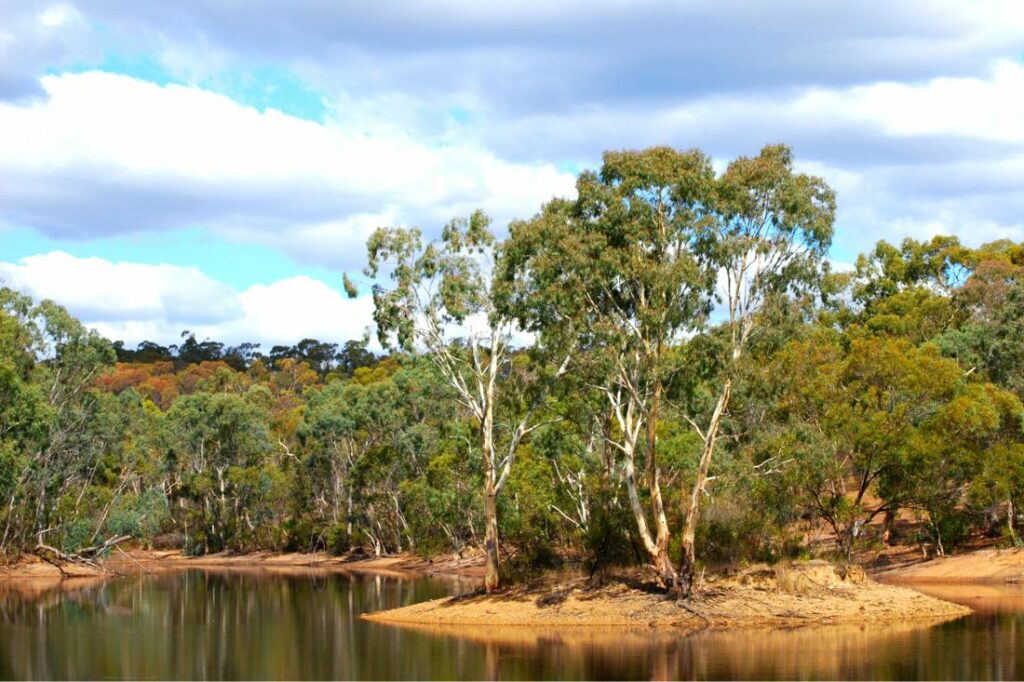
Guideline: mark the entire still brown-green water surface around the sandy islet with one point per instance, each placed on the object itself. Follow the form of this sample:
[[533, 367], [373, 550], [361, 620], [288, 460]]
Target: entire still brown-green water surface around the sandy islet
[[306, 625]]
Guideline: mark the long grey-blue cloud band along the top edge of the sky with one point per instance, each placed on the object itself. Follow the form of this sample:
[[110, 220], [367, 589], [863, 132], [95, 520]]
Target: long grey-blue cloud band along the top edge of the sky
[[533, 56]]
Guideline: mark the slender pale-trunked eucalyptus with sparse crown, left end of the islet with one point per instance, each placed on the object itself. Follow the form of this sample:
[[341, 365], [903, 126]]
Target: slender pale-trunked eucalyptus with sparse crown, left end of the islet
[[444, 301]]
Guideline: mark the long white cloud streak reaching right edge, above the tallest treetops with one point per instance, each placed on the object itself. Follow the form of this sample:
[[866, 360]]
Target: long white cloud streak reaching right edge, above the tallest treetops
[[987, 108]]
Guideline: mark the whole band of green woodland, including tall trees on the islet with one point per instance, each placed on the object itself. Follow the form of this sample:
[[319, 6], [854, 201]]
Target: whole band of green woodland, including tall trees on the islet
[[666, 370]]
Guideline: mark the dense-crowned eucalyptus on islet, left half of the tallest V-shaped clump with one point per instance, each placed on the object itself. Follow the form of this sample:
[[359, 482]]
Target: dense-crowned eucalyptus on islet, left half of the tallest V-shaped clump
[[621, 269]]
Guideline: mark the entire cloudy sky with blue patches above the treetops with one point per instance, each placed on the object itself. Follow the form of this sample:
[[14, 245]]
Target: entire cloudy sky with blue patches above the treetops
[[216, 166]]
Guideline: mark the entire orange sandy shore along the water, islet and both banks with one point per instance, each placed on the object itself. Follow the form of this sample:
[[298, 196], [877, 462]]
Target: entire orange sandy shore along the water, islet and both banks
[[814, 593]]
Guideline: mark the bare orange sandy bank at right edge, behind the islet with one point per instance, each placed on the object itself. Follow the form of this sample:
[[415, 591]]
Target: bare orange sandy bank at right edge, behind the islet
[[987, 566]]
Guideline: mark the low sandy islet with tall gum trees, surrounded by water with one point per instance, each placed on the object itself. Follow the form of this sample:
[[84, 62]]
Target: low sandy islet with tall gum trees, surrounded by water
[[813, 593]]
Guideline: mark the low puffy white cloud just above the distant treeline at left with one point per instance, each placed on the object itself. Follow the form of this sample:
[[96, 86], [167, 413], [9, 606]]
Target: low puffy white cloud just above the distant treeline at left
[[137, 302]]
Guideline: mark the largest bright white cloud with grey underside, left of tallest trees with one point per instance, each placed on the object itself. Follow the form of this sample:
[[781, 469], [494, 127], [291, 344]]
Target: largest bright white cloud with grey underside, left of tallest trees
[[110, 154]]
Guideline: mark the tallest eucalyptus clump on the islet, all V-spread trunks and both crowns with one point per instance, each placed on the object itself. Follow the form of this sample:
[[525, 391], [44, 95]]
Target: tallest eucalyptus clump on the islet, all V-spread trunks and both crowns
[[633, 267]]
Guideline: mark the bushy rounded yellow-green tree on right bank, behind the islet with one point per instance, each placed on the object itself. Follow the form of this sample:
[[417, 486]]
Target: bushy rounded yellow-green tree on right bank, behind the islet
[[880, 428]]
